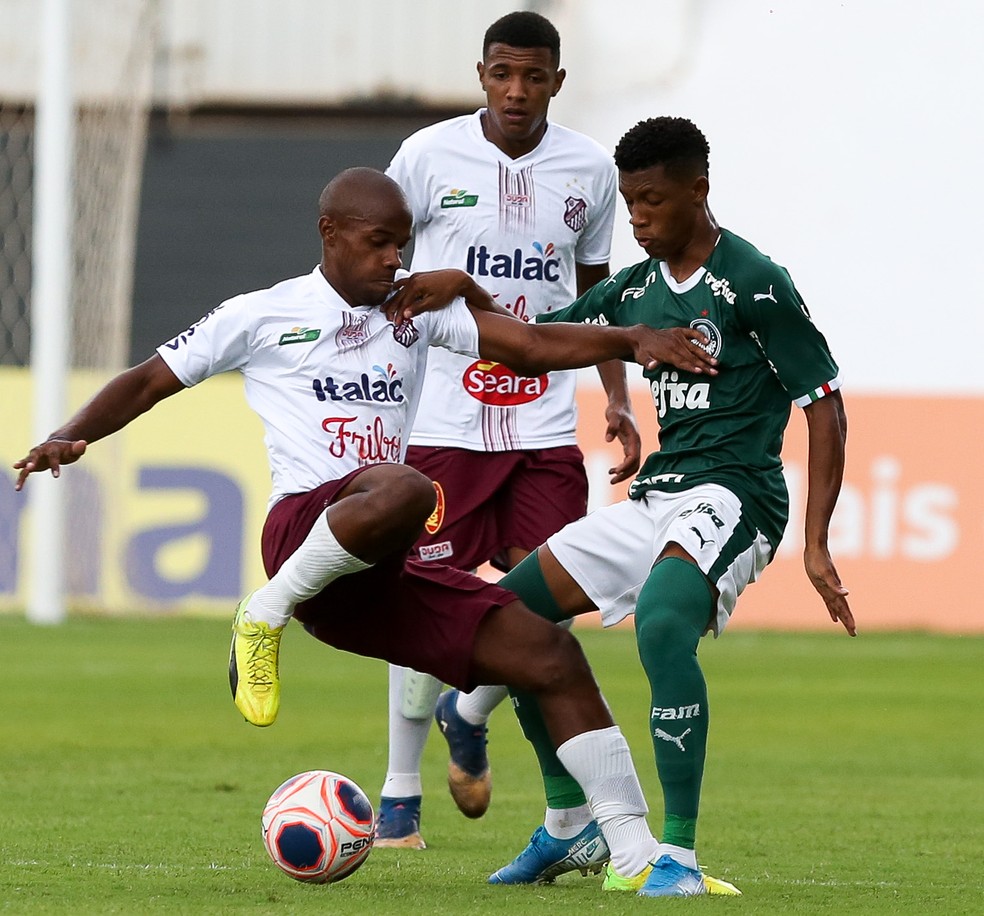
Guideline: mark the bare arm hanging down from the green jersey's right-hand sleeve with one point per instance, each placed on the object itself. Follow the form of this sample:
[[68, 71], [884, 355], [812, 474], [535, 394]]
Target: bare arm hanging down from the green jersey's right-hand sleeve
[[827, 425]]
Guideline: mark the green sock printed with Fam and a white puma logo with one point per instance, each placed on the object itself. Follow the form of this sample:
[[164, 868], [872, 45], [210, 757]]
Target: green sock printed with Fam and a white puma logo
[[674, 608]]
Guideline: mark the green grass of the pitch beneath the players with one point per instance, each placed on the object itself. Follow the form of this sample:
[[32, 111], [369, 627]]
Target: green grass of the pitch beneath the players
[[844, 776]]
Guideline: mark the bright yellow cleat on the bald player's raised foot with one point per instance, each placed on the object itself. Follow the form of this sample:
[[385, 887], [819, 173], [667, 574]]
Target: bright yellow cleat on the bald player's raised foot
[[254, 667]]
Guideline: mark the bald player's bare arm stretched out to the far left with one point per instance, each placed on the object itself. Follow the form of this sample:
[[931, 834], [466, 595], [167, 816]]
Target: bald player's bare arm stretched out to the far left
[[123, 399]]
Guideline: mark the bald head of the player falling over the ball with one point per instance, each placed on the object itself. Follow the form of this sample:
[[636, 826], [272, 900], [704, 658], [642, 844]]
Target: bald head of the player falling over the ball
[[364, 220]]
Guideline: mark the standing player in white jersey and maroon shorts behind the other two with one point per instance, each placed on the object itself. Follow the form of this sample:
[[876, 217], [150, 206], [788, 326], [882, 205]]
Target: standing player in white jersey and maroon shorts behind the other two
[[526, 207]]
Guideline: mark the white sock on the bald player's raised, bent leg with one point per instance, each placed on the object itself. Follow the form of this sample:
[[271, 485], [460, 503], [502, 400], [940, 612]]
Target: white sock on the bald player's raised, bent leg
[[319, 560]]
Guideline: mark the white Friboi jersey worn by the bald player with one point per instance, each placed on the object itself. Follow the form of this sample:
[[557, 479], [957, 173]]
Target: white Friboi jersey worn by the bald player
[[335, 386]]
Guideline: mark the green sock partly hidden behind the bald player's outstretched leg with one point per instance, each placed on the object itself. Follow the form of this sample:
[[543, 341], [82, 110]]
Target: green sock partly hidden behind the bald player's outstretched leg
[[562, 790]]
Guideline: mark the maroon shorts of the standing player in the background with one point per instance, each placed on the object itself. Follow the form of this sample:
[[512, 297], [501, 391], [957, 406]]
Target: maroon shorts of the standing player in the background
[[488, 502]]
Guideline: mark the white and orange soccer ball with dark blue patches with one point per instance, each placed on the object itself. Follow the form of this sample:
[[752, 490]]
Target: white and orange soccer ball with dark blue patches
[[318, 827]]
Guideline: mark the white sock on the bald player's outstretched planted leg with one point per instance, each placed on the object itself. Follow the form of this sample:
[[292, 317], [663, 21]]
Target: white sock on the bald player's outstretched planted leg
[[600, 761]]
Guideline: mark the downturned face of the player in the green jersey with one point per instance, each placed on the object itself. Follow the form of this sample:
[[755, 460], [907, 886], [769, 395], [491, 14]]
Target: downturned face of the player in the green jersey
[[665, 212]]
